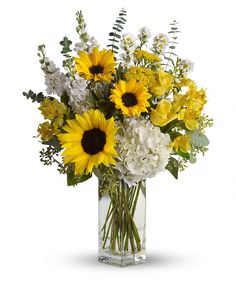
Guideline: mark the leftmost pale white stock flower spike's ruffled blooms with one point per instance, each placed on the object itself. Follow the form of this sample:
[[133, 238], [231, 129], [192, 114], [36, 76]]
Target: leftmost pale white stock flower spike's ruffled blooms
[[54, 79]]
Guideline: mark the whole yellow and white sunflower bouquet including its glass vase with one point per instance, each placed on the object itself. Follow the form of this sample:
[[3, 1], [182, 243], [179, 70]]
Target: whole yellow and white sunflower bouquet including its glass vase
[[124, 113]]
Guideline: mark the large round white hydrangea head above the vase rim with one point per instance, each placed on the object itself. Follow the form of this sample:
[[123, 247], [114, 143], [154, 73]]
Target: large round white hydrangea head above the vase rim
[[143, 150]]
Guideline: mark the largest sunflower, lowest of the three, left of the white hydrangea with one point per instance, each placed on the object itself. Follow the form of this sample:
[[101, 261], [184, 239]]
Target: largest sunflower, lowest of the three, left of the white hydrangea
[[89, 141]]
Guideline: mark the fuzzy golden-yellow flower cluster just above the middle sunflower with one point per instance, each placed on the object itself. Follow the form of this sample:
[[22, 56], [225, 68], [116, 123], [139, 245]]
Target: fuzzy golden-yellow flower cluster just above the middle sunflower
[[141, 74]]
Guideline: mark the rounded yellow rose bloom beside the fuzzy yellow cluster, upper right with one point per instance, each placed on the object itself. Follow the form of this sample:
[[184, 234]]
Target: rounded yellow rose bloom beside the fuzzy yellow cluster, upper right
[[163, 82]]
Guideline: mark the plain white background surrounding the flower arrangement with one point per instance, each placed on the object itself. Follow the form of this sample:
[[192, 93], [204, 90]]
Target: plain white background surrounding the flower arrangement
[[48, 231]]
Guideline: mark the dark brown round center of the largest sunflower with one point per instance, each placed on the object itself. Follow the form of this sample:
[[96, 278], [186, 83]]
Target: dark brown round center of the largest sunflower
[[93, 141]]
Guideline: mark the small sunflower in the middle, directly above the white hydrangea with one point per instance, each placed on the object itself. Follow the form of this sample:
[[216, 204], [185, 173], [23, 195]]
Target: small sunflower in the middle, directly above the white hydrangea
[[130, 97]]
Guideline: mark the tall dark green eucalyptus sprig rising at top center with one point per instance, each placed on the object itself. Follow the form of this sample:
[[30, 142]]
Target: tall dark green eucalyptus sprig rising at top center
[[117, 28]]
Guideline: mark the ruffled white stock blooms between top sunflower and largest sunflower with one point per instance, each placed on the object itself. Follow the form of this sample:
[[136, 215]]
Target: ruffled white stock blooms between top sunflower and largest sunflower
[[78, 94]]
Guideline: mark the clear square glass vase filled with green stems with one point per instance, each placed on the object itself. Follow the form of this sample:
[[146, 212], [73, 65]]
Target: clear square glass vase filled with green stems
[[122, 222]]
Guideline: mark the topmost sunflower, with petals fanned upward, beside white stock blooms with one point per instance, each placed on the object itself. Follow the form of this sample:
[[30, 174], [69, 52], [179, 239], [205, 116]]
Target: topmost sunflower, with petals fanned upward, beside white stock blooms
[[97, 66]]
